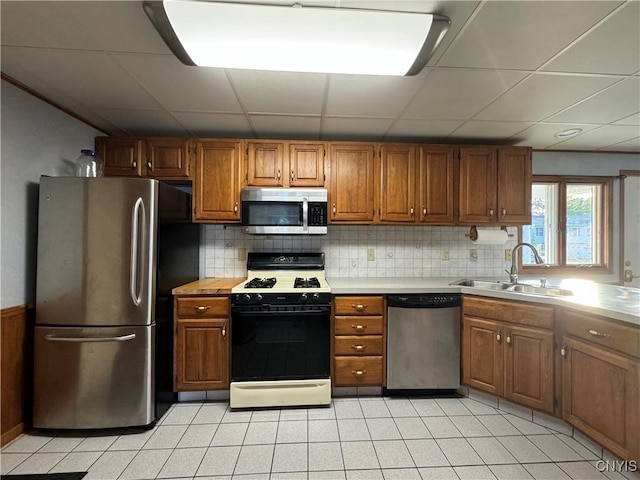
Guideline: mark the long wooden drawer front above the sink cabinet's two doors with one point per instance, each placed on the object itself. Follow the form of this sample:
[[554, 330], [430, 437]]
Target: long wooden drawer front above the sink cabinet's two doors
[[506, 311]]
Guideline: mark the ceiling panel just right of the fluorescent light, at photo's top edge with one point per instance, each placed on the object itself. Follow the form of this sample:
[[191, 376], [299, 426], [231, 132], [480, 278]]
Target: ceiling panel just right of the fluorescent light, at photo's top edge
[[522, 34]]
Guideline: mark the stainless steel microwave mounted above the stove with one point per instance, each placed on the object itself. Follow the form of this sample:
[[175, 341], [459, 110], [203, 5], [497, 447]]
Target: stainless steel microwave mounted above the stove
[[284, 211]]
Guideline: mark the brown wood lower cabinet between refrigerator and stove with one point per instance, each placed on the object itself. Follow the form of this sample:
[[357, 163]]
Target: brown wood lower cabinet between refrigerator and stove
[[201, 343]]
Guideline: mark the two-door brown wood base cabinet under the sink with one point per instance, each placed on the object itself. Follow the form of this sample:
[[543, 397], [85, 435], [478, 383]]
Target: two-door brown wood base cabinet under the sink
[[506, 352]]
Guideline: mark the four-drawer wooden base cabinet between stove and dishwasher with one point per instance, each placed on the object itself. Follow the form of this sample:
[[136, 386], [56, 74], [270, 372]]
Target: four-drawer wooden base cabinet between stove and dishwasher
[[359, 341]]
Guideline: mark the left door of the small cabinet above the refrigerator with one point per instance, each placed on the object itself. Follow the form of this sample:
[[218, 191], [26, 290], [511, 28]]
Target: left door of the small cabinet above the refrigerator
[[122, 156]]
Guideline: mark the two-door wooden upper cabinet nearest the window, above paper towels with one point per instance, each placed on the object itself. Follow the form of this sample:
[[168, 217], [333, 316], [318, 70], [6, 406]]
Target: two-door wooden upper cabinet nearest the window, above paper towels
[[495, 185]]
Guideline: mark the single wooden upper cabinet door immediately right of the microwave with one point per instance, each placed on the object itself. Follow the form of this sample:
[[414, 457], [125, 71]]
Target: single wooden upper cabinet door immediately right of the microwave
[[352, 183]]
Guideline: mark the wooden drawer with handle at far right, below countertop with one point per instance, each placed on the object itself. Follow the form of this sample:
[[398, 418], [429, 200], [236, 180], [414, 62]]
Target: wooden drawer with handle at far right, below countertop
[[602, 332]]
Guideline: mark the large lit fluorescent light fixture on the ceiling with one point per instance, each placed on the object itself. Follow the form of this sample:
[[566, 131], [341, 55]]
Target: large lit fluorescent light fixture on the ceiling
[[296, 38]]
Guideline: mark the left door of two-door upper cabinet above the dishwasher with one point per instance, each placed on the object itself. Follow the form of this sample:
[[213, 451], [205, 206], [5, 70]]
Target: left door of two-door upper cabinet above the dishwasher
[[397, 183]]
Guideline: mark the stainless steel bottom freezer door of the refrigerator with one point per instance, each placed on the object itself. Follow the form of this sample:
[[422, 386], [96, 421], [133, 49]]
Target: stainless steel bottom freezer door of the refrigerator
[[100, 377]]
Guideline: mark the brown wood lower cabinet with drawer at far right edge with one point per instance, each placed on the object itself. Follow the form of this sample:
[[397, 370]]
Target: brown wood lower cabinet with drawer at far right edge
[[600, 381]]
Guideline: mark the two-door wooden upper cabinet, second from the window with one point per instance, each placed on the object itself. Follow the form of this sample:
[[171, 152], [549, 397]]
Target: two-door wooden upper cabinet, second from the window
[[417, 184]]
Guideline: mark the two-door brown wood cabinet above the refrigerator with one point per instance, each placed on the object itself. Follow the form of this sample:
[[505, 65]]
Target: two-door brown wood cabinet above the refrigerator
[[162, 158]]
